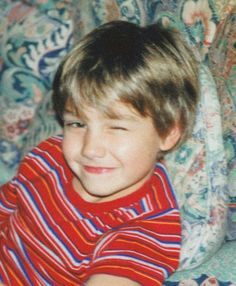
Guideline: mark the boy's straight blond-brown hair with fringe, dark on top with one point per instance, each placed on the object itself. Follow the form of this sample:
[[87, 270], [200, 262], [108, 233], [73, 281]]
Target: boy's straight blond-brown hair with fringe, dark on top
[[150, 68]]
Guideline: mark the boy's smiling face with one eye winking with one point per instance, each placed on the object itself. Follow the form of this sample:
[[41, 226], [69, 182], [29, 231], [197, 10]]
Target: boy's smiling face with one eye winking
[[110, 157]]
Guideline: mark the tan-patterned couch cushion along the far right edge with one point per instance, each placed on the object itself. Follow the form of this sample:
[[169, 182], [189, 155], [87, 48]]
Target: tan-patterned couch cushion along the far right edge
[[222, 61]]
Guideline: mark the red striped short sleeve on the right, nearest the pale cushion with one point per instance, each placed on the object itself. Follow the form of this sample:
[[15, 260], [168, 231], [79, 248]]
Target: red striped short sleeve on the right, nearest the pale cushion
[[146, 251]]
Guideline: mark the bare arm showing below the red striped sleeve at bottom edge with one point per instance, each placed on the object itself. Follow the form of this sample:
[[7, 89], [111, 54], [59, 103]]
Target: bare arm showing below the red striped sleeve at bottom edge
[[108, 280]]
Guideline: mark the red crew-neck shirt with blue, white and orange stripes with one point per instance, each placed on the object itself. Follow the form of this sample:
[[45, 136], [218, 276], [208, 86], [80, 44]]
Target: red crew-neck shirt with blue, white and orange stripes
[[50, 236]]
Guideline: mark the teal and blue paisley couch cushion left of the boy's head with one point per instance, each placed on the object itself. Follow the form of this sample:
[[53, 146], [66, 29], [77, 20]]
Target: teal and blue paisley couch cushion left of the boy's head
[[33, 41]]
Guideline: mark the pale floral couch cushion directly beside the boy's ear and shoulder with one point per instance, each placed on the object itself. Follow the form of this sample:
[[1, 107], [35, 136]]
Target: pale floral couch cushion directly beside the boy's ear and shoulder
[[198, 170]]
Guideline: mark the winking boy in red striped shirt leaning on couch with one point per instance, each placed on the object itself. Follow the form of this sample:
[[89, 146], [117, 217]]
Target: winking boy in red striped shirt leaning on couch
[[95, 206]]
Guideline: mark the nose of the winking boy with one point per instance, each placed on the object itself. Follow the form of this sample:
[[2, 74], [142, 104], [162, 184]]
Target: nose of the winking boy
[[93, 145]]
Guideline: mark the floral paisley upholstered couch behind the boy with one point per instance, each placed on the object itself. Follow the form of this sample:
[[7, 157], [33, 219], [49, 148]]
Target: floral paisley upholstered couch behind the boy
[[36, 34]]
